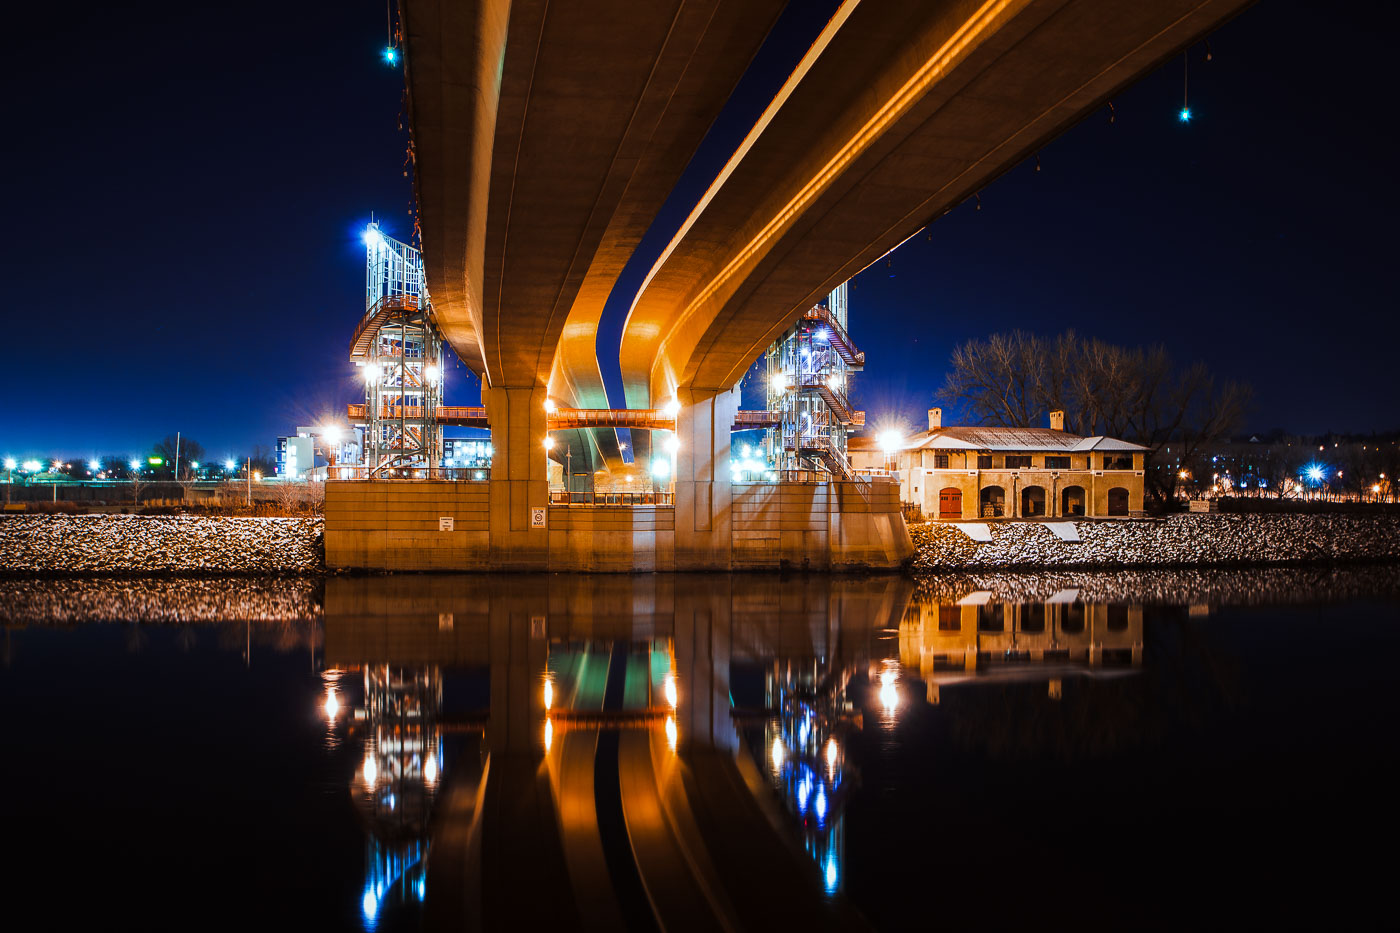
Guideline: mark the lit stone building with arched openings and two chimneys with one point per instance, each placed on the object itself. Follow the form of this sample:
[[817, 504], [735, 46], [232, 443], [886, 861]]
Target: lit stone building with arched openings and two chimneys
[[957, 474]]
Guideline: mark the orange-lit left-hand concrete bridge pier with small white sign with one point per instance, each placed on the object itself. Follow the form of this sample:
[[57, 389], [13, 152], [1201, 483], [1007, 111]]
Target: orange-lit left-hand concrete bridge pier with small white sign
[[520, 478]]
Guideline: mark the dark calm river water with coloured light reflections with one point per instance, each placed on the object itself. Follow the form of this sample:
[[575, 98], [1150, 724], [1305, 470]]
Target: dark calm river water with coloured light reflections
[[1100, 750]]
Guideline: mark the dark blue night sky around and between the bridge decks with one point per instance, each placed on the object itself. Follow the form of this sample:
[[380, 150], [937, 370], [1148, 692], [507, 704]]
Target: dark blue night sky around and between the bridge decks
[[187, 190]]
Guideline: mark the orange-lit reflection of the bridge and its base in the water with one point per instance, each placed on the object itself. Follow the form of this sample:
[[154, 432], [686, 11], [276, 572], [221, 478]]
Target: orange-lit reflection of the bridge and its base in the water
[[628, 768]]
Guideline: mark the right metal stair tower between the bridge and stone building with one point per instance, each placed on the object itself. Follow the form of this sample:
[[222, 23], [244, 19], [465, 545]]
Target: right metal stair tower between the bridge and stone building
[[808, 383]]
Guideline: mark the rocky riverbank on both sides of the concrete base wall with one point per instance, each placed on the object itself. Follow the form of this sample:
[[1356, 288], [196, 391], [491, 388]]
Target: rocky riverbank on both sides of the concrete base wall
[[198, 546]]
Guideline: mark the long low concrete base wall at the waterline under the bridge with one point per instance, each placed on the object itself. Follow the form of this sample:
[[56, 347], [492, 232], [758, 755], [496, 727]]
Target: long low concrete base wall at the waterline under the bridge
[[430, 526]]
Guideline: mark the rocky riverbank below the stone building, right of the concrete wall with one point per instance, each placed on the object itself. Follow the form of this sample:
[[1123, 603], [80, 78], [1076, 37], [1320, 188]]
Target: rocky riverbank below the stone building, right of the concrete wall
[[1178, 541]]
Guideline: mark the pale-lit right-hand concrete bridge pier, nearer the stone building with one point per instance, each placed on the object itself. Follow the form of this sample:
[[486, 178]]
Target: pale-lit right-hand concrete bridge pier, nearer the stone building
[[703, 481]]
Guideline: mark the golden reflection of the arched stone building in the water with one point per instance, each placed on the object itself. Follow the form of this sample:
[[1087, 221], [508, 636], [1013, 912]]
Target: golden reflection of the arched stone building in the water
[[944, 641]]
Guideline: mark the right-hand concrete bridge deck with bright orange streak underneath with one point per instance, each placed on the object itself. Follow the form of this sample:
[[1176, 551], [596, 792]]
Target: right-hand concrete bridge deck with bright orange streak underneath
[[899, 113]]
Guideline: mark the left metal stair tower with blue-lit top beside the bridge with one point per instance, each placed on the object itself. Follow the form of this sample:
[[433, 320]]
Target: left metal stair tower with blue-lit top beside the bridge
[[400, 352]]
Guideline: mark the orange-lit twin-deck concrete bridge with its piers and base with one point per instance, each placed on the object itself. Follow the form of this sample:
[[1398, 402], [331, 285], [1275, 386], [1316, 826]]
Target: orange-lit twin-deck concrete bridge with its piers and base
[[548, 137]]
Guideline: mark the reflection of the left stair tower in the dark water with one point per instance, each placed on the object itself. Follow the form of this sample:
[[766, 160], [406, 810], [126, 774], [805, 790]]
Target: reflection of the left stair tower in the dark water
[[402, 766]]
